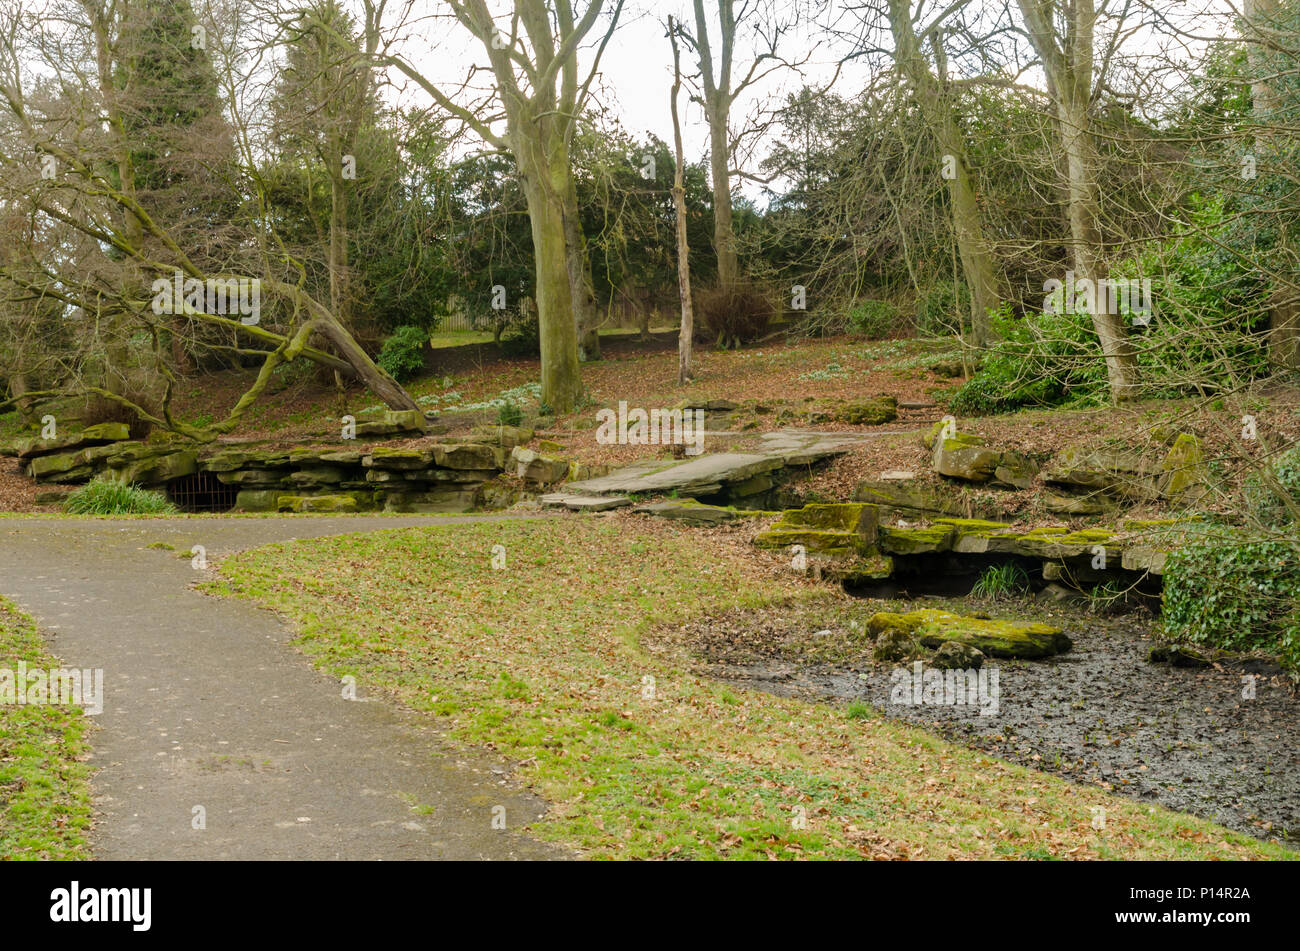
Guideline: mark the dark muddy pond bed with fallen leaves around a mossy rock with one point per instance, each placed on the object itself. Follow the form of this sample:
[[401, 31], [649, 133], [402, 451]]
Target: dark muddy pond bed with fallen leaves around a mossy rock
[[1219, 742]]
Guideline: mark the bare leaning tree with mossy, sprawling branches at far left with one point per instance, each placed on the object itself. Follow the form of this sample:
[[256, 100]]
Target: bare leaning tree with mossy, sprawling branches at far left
[[116, 250]]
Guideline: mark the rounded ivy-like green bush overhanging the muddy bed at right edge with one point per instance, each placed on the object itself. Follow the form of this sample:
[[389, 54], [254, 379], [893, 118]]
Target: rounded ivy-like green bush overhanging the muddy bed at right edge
[[1237, 593]]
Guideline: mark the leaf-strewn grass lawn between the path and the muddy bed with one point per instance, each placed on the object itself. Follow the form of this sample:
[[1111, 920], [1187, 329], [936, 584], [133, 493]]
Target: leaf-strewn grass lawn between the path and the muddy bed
[[548, 665]]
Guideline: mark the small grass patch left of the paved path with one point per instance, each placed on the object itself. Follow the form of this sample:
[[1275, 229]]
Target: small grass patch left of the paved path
[[45, 792]]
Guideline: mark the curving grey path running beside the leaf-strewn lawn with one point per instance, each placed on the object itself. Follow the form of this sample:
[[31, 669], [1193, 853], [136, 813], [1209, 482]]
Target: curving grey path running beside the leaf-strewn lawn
[[207, 705]]
